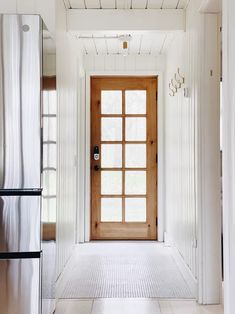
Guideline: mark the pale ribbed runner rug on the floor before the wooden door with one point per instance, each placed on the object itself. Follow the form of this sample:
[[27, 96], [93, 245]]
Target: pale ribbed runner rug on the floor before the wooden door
[[123, 270]]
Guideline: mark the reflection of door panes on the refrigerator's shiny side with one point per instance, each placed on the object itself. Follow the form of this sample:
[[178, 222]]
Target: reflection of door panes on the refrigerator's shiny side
[[49, 156]]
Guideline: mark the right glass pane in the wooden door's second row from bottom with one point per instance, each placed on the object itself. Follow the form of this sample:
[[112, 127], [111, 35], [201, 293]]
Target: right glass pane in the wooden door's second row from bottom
[[135, 182]]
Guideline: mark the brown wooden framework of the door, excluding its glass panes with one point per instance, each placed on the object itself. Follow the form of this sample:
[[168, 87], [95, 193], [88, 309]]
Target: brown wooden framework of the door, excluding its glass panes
[[142, 230]]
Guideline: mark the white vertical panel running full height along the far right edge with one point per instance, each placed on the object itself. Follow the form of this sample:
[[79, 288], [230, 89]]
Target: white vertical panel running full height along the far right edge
[[229, 153]]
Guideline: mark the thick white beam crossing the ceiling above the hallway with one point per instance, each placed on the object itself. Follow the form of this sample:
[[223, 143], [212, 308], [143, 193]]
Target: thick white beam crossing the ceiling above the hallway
[[82, 21]]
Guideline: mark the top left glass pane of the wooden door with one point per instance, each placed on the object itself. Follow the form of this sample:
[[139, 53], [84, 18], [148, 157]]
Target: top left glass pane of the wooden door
[[111, 102]]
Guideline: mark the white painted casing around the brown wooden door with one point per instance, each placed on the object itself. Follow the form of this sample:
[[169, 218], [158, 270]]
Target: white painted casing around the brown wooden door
[[85, 118]]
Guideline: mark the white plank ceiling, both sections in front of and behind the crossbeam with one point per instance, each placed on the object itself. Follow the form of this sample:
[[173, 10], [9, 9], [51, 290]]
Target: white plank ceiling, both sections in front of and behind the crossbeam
[[140, 44]]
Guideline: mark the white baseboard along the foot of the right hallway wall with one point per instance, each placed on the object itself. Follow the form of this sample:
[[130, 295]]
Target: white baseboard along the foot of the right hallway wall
[[184, 269]]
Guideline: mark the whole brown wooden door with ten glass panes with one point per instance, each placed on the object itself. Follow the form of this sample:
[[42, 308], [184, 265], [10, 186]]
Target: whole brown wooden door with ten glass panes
[[123, 158]]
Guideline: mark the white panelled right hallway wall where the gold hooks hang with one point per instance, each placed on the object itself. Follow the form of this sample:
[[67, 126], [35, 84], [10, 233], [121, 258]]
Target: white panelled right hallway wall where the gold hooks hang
[[180, 158]]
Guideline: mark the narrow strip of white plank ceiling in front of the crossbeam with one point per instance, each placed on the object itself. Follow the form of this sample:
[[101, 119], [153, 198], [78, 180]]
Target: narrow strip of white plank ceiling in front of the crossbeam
[[127, 4]]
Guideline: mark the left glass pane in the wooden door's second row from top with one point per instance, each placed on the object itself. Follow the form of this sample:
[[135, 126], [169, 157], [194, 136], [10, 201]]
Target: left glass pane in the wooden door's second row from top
[[111, 129]]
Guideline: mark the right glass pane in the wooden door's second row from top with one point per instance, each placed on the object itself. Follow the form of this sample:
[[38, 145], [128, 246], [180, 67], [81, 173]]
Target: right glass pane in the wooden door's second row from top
[[135, 129]]
